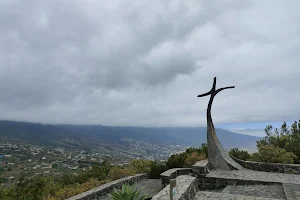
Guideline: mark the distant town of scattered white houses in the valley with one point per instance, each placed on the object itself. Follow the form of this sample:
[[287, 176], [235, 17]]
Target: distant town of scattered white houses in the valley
[[31, 159]]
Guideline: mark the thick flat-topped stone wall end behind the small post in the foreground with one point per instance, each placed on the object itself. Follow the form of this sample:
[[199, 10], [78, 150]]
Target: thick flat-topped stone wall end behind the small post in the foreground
[[185, 189]]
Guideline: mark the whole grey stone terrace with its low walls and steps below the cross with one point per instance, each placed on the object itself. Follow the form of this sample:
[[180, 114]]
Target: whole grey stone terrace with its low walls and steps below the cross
[[200, 183]]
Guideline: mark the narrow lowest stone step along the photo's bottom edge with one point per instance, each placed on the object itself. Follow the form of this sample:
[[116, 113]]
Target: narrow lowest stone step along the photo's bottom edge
[[203, 195]]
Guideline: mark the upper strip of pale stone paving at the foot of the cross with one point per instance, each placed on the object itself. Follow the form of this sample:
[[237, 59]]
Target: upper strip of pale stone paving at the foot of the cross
[[255, 176]]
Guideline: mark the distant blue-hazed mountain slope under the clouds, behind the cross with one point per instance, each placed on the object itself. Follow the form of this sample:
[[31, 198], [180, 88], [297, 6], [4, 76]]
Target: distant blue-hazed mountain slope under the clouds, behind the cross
[[83, 136]]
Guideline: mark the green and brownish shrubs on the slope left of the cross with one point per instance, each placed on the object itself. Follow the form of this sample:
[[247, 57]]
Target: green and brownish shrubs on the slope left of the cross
[[53, 188]]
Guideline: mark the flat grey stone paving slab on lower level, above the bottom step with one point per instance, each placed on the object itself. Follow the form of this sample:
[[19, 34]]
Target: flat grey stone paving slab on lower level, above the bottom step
[[269, 191]]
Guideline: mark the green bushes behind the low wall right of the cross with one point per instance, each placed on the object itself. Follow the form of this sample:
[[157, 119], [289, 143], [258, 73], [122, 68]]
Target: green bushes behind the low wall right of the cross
[[278, 146]]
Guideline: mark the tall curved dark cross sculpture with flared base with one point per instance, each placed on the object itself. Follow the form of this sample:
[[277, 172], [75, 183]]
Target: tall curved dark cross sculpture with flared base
[[217, 156]]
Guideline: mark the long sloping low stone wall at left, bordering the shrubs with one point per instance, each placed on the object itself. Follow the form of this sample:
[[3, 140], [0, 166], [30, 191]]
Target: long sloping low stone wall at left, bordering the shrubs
[[108, 187]]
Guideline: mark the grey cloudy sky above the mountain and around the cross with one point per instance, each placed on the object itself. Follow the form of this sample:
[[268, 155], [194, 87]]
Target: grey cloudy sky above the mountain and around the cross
[[143, 63]]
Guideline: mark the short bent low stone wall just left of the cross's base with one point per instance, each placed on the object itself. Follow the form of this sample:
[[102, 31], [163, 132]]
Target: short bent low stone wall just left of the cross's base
[[173, 173]]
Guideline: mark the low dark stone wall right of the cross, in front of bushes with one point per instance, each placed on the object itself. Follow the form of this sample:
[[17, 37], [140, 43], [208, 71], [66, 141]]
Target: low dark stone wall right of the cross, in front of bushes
[[269, 167]]
